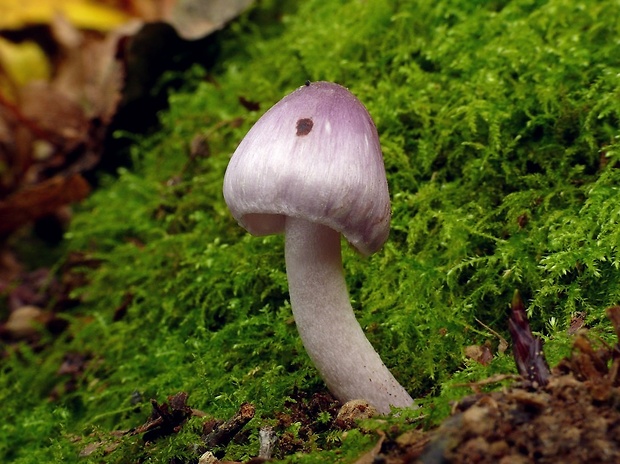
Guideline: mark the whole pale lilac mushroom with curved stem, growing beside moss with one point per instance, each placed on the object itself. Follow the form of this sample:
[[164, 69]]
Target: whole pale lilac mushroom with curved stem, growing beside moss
[[311, 168]]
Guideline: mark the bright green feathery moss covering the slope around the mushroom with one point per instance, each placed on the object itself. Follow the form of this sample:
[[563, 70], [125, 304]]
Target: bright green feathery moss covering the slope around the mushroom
[[499, 124]]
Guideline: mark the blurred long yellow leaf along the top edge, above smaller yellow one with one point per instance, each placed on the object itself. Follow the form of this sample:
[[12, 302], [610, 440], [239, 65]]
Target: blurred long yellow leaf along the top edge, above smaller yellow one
[[86, 14]]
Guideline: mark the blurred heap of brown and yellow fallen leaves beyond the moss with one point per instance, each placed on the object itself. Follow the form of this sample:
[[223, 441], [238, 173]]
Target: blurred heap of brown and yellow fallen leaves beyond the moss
[[54, 121]]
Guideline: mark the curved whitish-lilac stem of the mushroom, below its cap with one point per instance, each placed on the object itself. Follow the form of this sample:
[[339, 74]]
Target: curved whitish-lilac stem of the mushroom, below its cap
[[333, 338]]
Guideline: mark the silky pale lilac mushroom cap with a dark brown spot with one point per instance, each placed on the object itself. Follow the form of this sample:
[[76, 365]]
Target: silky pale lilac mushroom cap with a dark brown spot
[[314, 155]]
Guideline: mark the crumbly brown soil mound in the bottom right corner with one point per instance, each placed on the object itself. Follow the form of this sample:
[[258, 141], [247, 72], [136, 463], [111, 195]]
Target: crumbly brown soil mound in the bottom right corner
[[575, 418]]
